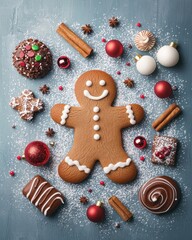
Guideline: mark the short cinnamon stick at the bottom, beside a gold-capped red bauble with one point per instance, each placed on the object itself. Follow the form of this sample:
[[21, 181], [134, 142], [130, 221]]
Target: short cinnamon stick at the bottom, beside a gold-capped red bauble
[[118, 206]]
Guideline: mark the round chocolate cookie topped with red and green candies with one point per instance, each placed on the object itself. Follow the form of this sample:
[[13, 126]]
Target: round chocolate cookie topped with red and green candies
[[32, 59]]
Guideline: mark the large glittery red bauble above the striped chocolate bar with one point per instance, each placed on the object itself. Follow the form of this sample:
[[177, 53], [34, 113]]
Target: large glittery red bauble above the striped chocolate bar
[[37, 153]]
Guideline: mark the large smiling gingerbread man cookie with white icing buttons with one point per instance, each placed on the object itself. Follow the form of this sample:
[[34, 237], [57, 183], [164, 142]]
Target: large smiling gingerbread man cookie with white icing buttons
[[98, 125]]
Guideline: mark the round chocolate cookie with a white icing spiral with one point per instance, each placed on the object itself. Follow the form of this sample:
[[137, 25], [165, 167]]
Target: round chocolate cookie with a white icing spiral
[[160, 194]]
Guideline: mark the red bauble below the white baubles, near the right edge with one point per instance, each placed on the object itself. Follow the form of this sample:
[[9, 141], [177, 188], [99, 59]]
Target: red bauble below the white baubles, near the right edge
[[163, 89]]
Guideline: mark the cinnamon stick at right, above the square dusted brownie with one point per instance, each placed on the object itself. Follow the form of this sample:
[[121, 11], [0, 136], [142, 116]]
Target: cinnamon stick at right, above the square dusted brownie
[[169, 114]]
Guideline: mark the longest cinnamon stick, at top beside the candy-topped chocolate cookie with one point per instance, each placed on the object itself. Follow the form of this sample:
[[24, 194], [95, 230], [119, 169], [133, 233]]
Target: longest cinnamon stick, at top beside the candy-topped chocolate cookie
[[81, 46]]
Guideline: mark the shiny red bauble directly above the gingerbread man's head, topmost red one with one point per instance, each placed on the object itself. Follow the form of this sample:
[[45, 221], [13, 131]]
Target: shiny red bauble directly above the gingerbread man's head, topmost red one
[[114, 48]]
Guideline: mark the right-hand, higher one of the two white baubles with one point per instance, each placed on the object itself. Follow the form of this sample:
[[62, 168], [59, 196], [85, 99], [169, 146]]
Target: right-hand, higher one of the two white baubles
[[168, 56]]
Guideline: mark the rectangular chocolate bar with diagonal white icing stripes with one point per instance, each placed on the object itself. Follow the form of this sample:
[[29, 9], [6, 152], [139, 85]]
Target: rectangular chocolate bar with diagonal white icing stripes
[[43, 195]]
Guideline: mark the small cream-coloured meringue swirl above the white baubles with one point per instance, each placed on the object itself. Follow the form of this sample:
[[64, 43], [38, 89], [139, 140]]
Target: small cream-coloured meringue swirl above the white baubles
[[144, 40]]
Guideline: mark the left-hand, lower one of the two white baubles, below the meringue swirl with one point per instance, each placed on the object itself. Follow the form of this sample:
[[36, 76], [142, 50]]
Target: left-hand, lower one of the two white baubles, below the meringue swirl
[[146, 65]]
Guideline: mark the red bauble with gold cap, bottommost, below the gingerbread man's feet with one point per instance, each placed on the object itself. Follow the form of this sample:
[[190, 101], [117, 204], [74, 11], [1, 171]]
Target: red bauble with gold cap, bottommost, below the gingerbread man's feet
[[96, 213]]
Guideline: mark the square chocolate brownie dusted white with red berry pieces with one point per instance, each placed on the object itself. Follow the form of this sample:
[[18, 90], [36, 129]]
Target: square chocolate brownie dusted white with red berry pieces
[[164, 150]]
